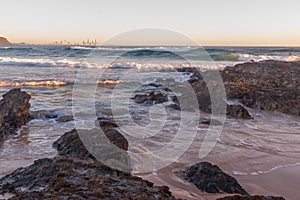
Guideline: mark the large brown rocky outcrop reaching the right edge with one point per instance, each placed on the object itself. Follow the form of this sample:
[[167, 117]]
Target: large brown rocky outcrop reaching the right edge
[[267, 85]]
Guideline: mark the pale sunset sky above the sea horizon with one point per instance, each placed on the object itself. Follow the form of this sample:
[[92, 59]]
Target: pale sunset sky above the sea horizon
[[210, 22]]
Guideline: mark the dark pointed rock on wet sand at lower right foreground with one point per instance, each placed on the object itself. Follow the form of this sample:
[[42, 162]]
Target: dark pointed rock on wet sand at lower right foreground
[[210, 178]]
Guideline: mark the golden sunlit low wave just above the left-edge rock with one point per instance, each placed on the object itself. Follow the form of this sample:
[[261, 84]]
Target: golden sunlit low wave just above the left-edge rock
[[45, 83]]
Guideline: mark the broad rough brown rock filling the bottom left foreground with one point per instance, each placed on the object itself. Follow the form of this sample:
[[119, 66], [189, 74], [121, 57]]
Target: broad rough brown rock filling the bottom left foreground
[[66, 178]]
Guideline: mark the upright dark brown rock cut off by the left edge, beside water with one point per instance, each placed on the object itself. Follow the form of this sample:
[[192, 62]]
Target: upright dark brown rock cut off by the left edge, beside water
[[14, 112]]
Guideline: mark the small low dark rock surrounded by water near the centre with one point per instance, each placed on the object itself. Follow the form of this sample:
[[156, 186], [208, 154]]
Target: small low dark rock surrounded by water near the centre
[[151, 98]]
